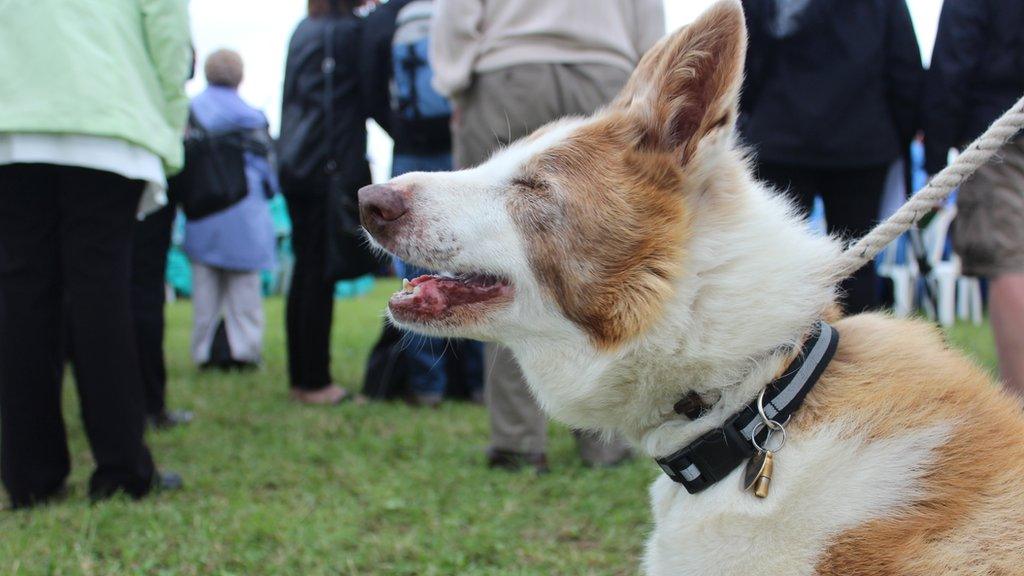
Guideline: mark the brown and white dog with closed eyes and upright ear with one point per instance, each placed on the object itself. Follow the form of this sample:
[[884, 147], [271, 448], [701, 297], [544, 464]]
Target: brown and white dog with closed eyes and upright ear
[[630, 259]]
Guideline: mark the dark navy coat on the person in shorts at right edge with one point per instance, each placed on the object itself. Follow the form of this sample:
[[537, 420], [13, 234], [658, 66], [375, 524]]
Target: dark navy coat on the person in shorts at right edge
[[977, 73]]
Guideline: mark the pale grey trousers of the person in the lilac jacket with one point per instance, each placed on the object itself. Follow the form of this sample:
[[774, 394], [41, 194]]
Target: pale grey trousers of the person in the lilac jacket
[[236, 297]]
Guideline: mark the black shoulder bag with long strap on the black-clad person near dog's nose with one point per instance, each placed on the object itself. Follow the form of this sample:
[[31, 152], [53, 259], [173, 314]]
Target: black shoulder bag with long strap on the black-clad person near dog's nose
[[349, 253]]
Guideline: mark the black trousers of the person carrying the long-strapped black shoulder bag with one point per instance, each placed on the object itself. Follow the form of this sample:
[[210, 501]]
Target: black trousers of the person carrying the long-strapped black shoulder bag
[[311, 300]]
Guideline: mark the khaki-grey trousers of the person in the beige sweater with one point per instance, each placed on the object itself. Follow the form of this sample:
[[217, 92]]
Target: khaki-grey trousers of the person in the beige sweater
[[498, 109]]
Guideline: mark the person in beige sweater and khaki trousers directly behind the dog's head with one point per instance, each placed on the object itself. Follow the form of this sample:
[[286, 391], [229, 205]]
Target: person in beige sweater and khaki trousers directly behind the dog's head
[[510, 68]]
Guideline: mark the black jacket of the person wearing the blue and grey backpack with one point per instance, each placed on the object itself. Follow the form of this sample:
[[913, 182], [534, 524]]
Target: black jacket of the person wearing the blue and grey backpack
[[425, 138]]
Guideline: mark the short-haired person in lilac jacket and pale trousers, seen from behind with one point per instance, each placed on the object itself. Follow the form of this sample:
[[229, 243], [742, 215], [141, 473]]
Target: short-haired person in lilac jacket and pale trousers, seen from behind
[[230, 249]]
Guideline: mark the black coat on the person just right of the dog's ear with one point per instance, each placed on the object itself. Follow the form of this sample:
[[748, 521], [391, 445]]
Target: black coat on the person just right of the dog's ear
[[840, 92]]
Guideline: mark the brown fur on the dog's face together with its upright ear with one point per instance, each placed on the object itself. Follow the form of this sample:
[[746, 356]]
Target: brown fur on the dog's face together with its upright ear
[[606, 212]]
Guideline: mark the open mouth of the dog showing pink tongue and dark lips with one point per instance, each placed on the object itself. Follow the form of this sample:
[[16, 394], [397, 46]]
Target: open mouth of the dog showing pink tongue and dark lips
[[435, 298]]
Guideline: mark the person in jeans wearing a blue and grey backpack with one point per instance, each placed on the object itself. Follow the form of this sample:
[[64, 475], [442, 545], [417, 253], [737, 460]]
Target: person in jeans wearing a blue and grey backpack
[[397, 76]]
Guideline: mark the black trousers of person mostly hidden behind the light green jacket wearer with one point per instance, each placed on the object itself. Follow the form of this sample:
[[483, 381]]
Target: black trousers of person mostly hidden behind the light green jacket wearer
[[149, 268]]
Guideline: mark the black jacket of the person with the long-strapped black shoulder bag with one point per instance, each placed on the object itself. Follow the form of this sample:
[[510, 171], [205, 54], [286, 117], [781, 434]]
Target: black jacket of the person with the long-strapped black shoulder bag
[[303, 148]]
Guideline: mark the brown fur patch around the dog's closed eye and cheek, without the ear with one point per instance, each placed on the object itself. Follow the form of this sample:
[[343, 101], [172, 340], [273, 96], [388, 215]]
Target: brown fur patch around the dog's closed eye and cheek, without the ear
[[607, 227]]
